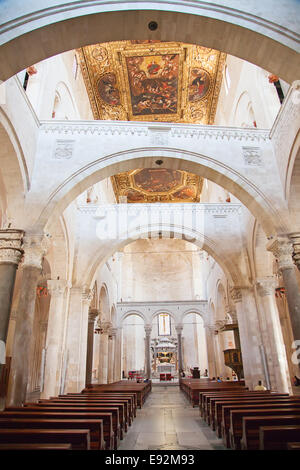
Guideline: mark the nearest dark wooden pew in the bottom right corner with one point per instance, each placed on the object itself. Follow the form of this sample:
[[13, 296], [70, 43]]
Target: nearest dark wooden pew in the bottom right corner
[[277, 437]]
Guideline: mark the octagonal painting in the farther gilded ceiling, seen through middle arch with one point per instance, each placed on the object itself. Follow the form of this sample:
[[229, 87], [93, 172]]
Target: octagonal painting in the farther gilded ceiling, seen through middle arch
[[157, 179]]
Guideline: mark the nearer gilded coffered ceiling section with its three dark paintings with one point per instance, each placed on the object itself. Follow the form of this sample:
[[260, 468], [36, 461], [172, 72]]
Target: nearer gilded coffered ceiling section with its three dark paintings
[[152, 81]]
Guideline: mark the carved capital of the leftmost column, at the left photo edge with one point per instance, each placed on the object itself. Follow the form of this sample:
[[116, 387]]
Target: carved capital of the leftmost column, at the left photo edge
[[11, 242]]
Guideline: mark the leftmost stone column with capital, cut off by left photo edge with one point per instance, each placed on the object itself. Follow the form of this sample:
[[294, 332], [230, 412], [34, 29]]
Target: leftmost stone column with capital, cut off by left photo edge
[[10, 256]]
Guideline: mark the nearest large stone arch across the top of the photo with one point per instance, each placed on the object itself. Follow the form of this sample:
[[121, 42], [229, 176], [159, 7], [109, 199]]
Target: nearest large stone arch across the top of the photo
[[69, 26]]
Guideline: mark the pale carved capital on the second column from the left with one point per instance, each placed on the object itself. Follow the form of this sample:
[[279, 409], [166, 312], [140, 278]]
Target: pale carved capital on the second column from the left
[[35, 248]]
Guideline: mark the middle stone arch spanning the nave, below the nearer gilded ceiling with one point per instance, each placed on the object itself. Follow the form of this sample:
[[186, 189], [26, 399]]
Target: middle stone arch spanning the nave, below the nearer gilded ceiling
[[223, 175]]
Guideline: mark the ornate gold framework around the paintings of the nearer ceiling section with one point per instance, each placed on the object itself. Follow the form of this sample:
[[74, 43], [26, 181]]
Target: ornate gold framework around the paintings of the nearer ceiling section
[[98, 59]]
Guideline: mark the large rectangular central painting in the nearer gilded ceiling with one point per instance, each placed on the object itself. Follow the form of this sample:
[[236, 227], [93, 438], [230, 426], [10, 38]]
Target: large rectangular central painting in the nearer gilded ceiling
[[153, 82]]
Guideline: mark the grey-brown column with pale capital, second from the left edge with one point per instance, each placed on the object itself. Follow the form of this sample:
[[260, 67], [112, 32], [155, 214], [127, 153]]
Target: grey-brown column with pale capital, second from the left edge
[[35, 249]]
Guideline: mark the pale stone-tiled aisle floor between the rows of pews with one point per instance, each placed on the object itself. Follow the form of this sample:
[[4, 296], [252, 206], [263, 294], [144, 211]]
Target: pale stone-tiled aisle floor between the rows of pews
[[168, 422]]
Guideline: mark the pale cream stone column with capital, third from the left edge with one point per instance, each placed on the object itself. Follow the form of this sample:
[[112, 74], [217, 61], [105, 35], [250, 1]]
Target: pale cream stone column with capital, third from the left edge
[[57, 289]]
